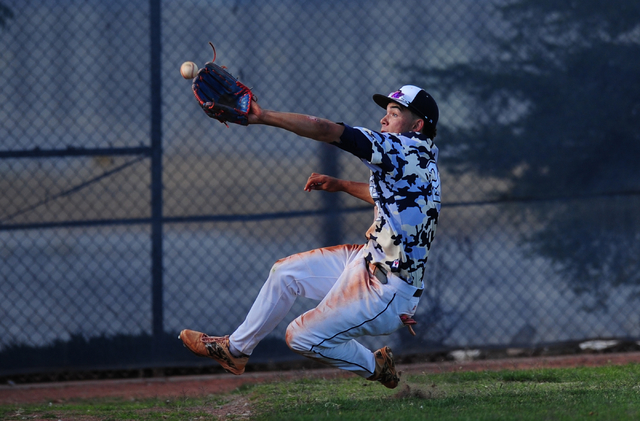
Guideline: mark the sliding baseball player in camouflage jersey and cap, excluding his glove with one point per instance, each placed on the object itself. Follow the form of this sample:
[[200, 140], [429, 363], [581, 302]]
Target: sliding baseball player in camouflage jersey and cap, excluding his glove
[[369, 289]]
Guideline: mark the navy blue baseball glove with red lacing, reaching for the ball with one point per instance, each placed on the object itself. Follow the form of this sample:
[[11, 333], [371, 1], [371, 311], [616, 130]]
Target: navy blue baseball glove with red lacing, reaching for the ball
[[221, 95]]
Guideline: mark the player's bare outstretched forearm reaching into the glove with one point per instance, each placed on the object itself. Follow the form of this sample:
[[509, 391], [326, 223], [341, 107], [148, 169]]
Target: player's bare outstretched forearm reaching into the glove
[[311, 127]]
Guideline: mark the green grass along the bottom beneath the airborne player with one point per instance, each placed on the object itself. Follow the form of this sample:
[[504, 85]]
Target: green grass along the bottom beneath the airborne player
[[602, 393]]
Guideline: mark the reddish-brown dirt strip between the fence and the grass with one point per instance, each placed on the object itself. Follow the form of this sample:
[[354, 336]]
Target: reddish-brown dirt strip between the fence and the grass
[[205, 385]]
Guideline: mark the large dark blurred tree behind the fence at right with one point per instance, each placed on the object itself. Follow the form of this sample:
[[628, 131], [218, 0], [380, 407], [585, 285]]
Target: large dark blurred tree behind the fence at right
[[555, 112]]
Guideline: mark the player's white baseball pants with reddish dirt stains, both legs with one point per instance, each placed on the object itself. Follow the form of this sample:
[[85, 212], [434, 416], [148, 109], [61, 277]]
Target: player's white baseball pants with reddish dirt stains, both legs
[[353, 303]]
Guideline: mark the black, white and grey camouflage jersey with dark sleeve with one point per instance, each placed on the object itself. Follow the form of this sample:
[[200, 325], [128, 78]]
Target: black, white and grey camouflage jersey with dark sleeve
[[405, 186]]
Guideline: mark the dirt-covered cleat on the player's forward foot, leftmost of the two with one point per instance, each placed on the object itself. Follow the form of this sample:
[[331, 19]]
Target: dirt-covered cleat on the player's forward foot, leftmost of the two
[[214, 347]]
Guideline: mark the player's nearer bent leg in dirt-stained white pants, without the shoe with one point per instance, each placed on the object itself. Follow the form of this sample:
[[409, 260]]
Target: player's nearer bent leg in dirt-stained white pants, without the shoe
[[357, 305]]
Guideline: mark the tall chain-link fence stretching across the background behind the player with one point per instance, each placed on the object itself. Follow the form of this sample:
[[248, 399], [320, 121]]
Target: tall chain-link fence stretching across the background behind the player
[[127, 215]]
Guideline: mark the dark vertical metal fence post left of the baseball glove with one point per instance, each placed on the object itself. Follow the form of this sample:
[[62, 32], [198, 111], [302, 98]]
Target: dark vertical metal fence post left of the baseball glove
[[156, 178]]
